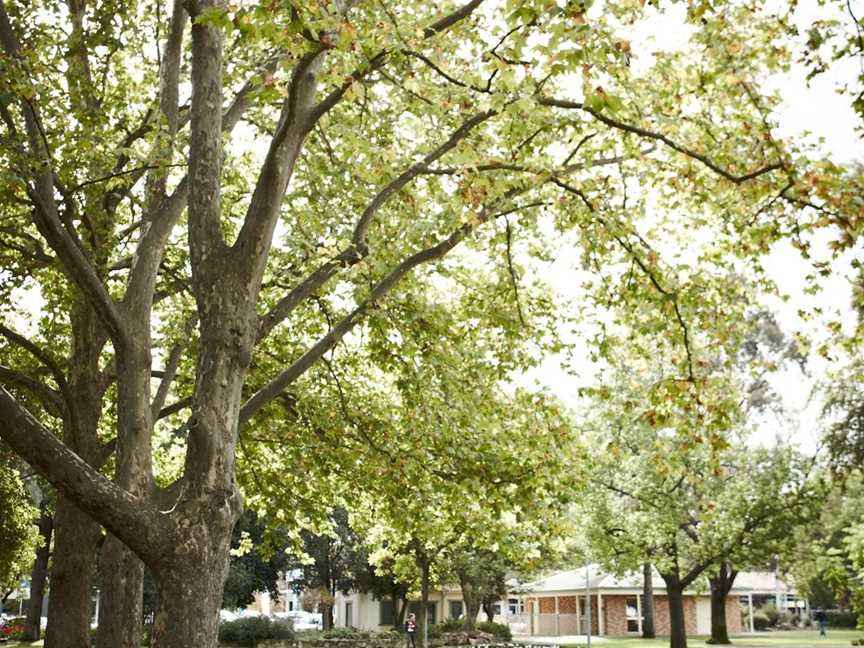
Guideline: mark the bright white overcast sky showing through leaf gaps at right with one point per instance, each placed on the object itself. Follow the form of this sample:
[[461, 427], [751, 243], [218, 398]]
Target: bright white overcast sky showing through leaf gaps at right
[[815, 108]]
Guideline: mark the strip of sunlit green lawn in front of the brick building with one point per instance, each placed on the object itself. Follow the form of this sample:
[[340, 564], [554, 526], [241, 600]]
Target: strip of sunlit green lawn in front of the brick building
[[785, 638]]
